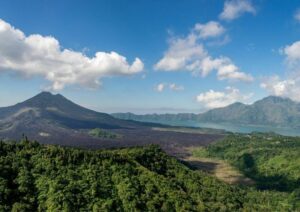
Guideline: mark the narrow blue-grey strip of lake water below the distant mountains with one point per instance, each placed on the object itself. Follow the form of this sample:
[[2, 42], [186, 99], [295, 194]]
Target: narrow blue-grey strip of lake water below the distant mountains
[[238, 128]]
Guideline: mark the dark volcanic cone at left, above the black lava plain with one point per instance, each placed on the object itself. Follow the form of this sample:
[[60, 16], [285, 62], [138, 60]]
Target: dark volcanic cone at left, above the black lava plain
[[58, 110]]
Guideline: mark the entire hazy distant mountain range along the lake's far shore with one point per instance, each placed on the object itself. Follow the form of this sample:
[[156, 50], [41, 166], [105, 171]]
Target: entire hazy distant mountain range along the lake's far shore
[[270, 111]]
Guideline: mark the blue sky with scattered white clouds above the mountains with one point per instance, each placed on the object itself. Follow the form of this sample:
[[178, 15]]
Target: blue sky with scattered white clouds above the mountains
[[146, 56]]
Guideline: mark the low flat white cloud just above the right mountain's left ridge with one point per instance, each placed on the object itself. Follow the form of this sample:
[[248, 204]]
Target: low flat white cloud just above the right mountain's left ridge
[[217, 99]]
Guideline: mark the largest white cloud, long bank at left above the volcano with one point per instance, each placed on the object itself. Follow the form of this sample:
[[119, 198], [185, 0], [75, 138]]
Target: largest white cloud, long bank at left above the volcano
[[37, 55]]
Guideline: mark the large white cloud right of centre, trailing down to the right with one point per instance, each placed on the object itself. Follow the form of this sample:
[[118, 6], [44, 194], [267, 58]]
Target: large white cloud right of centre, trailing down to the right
[[188, 54]]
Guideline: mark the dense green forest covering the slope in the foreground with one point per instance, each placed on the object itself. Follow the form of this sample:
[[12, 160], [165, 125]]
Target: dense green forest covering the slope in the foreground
[[36, 177]]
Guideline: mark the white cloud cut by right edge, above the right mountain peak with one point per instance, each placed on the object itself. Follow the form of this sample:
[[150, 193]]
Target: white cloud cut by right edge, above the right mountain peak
[[288, 86]]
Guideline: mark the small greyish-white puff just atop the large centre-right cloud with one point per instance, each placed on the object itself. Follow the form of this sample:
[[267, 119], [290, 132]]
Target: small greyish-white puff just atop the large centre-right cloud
[[210, 29]]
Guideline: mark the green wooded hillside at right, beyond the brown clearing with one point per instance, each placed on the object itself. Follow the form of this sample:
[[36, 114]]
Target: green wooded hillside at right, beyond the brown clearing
[[273, 161]]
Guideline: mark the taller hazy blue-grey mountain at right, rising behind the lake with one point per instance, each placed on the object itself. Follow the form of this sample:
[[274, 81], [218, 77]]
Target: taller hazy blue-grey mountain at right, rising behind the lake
[[270, 111]]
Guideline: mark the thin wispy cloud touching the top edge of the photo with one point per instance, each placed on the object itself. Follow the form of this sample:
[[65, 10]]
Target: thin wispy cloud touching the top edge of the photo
[[235, 8]]
